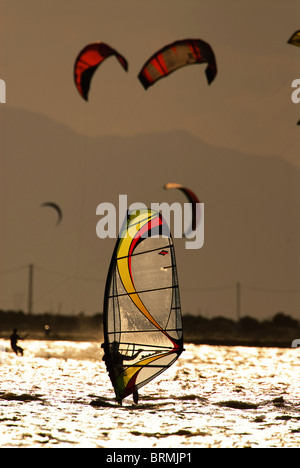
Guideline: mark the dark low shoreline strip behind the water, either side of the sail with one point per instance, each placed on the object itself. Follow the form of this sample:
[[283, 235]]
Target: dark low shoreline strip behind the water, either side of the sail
[[278, 332]]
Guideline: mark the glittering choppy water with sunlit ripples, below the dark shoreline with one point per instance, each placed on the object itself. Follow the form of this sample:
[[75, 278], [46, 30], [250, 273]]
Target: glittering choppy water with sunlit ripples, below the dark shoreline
[[212, 397]]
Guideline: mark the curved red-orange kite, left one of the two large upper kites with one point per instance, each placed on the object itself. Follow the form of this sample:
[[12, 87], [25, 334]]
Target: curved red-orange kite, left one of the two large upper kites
[[89, 60]]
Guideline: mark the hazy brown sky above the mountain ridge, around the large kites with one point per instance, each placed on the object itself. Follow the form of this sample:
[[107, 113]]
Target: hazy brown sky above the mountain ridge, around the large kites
[[248, 107]]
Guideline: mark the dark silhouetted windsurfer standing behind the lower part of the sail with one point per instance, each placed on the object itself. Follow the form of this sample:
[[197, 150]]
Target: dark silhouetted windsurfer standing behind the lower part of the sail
[[114, 360]]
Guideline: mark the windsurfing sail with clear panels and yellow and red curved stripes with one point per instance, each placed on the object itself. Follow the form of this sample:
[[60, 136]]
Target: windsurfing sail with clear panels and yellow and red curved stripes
[[142, 320]]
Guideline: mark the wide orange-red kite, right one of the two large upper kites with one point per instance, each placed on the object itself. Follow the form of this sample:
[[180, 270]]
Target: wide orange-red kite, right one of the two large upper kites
[[176, 55]]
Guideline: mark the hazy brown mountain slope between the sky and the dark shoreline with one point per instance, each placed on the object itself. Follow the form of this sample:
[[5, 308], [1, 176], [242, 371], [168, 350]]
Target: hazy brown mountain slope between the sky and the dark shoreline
[[252, 227]]
